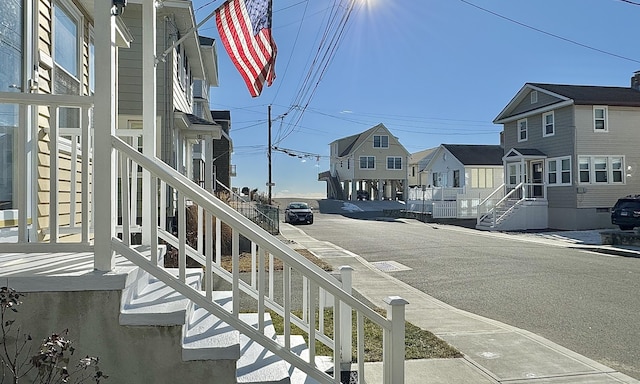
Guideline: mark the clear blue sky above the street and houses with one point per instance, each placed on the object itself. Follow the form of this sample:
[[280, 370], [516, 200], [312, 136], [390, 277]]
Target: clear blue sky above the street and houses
[[433, 71]]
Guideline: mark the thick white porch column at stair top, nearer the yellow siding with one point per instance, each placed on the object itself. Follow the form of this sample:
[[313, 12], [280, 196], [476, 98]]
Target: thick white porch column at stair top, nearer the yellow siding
[[105, 124]]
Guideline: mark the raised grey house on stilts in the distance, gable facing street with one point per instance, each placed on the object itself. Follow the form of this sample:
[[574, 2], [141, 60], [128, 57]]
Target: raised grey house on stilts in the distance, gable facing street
[[373, 161]]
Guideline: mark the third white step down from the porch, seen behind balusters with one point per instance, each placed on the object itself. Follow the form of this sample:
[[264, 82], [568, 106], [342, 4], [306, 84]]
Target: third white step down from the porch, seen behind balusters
[[256, 364]]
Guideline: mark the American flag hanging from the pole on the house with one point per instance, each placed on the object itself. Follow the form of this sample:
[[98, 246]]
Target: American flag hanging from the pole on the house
[[245, 30]]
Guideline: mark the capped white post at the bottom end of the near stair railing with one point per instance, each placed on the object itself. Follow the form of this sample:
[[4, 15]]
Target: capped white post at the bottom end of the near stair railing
[[394, 346]]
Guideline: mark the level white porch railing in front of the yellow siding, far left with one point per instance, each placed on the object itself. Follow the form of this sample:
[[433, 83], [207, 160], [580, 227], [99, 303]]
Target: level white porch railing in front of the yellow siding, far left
[[52, 177]]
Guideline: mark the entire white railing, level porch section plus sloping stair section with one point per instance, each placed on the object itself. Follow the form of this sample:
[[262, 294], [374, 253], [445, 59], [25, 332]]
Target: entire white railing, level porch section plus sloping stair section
[[34, 153]]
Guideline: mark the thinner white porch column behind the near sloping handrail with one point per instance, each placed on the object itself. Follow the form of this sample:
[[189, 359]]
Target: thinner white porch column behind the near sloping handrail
[[149, 223]]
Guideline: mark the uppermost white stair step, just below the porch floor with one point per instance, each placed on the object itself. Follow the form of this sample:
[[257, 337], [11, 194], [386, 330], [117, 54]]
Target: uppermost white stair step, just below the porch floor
[[157, 303]]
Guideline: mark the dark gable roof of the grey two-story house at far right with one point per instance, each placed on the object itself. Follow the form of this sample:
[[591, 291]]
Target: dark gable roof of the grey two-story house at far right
[[569, 95]]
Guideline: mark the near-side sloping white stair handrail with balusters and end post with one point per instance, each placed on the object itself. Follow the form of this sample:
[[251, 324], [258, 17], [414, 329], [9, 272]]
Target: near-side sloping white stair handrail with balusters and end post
[[186, 189]]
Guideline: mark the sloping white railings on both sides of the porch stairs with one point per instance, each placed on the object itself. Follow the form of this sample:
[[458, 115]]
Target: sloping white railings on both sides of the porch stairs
[[269, 250]]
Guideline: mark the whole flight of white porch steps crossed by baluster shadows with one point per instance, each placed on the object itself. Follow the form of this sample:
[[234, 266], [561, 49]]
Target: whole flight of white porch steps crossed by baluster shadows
[[148, 302]]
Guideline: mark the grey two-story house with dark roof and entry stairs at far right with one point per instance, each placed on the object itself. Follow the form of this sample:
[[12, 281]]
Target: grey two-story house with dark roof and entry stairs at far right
[[573, 149]]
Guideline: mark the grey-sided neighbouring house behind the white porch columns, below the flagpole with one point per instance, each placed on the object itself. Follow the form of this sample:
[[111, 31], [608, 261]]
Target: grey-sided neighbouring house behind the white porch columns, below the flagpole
[[186, 67]]
